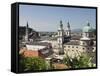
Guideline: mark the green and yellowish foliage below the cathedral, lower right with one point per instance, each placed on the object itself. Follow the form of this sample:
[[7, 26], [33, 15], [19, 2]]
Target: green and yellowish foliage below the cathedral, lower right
[[82, 61]]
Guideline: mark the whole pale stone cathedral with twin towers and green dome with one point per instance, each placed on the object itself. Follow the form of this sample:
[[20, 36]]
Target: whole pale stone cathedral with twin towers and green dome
[[74, 47]]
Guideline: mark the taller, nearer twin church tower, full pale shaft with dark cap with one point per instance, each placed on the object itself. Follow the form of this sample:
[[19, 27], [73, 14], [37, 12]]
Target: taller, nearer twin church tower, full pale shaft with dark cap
[[60, 38]]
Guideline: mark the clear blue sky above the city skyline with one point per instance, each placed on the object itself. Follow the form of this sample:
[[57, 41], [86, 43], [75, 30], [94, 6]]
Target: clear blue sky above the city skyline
[[47, 18]]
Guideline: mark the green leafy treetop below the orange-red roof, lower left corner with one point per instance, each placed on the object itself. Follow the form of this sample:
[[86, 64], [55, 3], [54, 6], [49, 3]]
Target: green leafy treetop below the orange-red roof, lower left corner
[[32, 64]]
